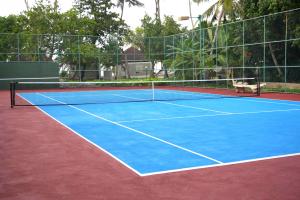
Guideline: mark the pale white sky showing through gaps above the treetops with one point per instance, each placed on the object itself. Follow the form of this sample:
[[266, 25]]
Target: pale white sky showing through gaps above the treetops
[[132, 16]]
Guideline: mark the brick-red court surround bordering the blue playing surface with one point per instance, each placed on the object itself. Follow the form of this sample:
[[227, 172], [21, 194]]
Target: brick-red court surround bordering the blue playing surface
[[41, 160]]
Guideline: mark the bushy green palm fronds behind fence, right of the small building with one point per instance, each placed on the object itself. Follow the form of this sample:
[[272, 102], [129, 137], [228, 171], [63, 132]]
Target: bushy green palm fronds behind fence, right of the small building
[[187, 54]]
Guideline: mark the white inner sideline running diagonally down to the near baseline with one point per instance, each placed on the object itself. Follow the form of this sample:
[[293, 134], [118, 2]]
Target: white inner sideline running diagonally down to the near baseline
[[136, 131]]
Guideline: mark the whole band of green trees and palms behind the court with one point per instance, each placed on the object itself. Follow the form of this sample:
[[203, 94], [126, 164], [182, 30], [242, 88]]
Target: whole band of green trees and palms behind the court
[[92, 35]]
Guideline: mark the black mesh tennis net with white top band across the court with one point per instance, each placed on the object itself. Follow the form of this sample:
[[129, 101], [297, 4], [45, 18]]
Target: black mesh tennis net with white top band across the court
[[75, 93]]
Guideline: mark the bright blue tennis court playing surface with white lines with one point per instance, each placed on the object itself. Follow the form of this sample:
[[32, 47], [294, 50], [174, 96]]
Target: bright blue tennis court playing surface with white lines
[[153, 137]]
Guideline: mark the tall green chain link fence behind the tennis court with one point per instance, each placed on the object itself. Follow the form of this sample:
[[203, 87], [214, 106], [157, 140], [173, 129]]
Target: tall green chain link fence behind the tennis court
[[268, 45]]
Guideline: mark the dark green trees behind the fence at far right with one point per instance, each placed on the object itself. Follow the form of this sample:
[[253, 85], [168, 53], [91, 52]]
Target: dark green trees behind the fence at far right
[[275, 26]]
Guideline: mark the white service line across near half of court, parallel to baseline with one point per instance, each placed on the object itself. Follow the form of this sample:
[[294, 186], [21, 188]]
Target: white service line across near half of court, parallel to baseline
[[198, 116]]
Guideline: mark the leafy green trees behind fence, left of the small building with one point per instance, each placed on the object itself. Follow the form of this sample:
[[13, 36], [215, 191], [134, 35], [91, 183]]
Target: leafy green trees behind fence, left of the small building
[[44, 33]]
